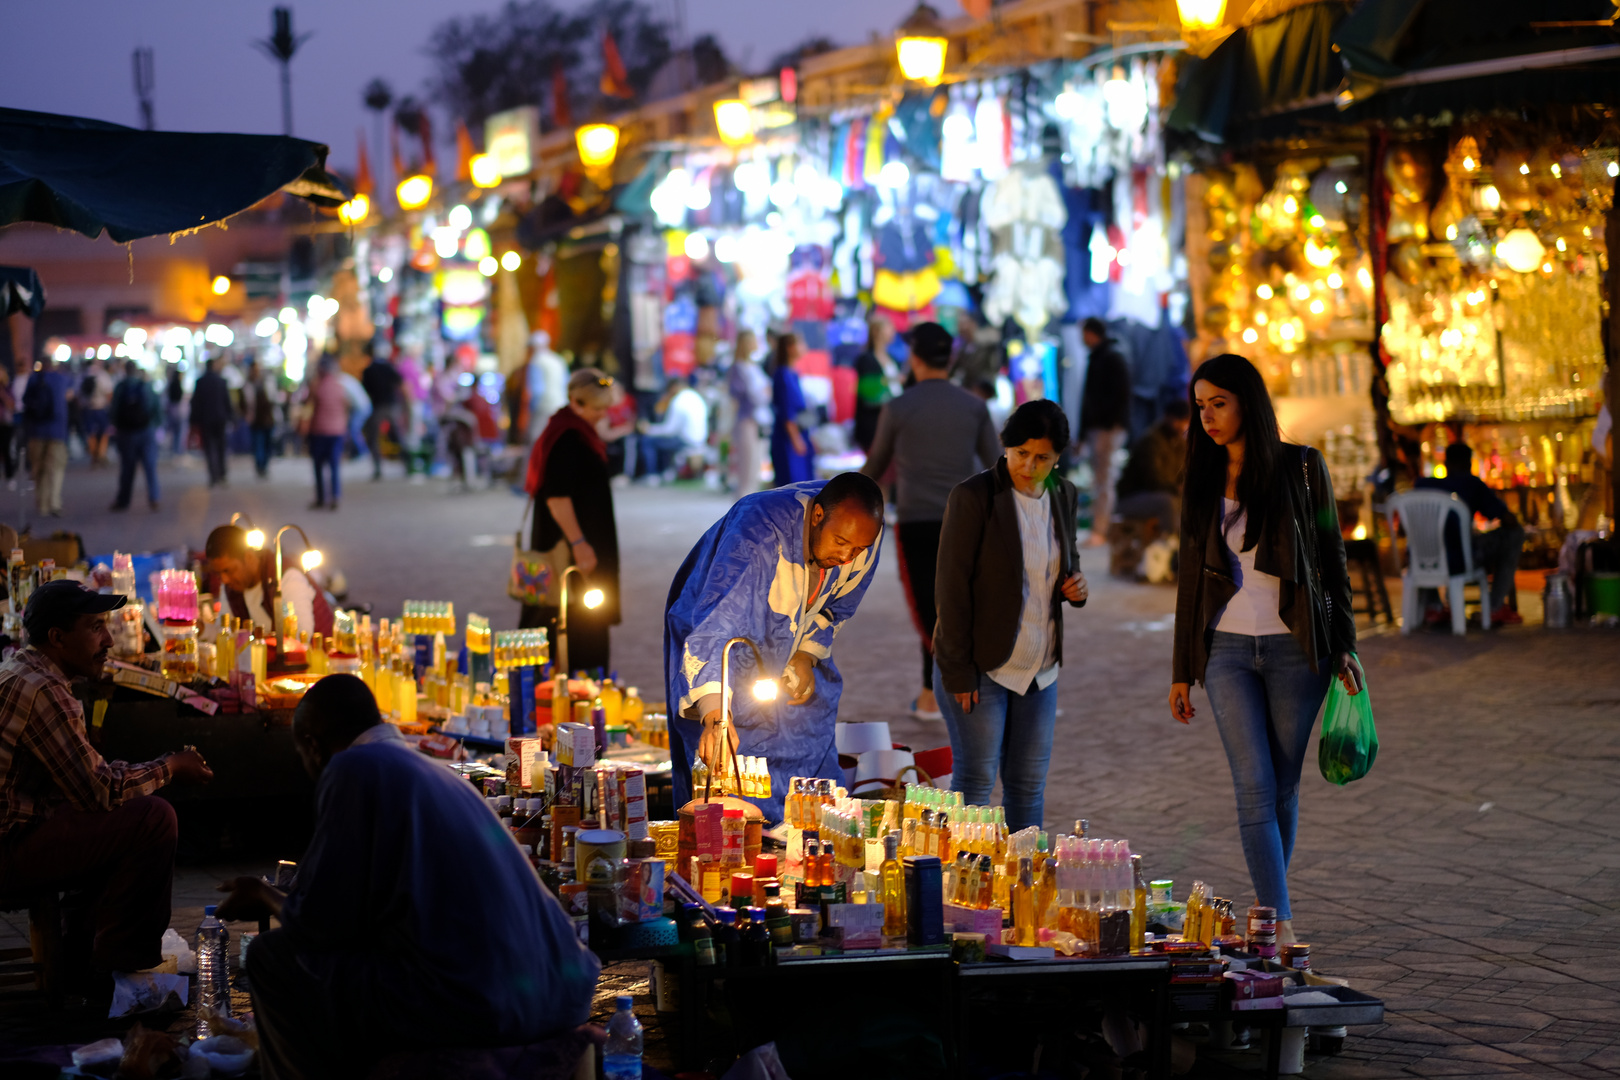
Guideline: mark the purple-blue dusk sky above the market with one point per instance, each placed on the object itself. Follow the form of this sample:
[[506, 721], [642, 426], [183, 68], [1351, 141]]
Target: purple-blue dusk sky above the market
[[74, 56]]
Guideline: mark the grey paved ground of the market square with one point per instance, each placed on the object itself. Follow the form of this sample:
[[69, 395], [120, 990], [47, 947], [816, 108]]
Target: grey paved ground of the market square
[[1472, 880]]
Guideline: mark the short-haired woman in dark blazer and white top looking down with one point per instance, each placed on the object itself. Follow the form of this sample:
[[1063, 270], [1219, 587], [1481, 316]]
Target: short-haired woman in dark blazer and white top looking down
[[1007, 564]]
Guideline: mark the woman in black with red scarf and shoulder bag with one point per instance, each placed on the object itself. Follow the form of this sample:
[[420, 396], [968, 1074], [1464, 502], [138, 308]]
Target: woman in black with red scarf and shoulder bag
[[568, 477]]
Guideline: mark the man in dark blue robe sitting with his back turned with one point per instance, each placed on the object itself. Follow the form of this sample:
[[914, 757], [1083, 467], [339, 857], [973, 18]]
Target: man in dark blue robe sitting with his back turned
[[417, 924]]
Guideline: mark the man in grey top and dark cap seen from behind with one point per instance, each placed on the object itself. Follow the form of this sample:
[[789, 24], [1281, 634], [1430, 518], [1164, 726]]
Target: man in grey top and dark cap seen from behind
[[937, 435]]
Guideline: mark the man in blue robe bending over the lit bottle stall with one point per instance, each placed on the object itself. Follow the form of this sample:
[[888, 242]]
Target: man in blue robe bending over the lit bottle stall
[[785, 569]]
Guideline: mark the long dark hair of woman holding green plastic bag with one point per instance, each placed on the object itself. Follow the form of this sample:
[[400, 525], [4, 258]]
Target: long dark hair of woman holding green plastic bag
[[1261, 488]]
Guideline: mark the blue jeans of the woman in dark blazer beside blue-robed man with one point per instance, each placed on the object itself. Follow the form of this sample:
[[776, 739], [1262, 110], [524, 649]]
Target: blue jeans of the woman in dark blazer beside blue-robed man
[[1008, 731]]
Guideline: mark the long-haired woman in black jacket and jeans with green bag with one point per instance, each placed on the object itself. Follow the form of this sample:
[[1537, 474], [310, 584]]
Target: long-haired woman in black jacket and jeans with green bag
[[1263, 608]]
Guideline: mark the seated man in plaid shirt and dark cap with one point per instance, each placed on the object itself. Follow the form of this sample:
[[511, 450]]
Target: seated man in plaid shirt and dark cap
[[70, 820]]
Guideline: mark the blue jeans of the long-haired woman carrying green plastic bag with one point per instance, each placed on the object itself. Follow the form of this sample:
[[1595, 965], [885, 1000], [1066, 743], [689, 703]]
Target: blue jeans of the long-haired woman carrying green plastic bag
[[1266, 702]]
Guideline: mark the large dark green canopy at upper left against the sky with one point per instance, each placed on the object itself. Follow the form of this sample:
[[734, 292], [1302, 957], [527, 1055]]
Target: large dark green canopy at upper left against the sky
[[95, 177]]
